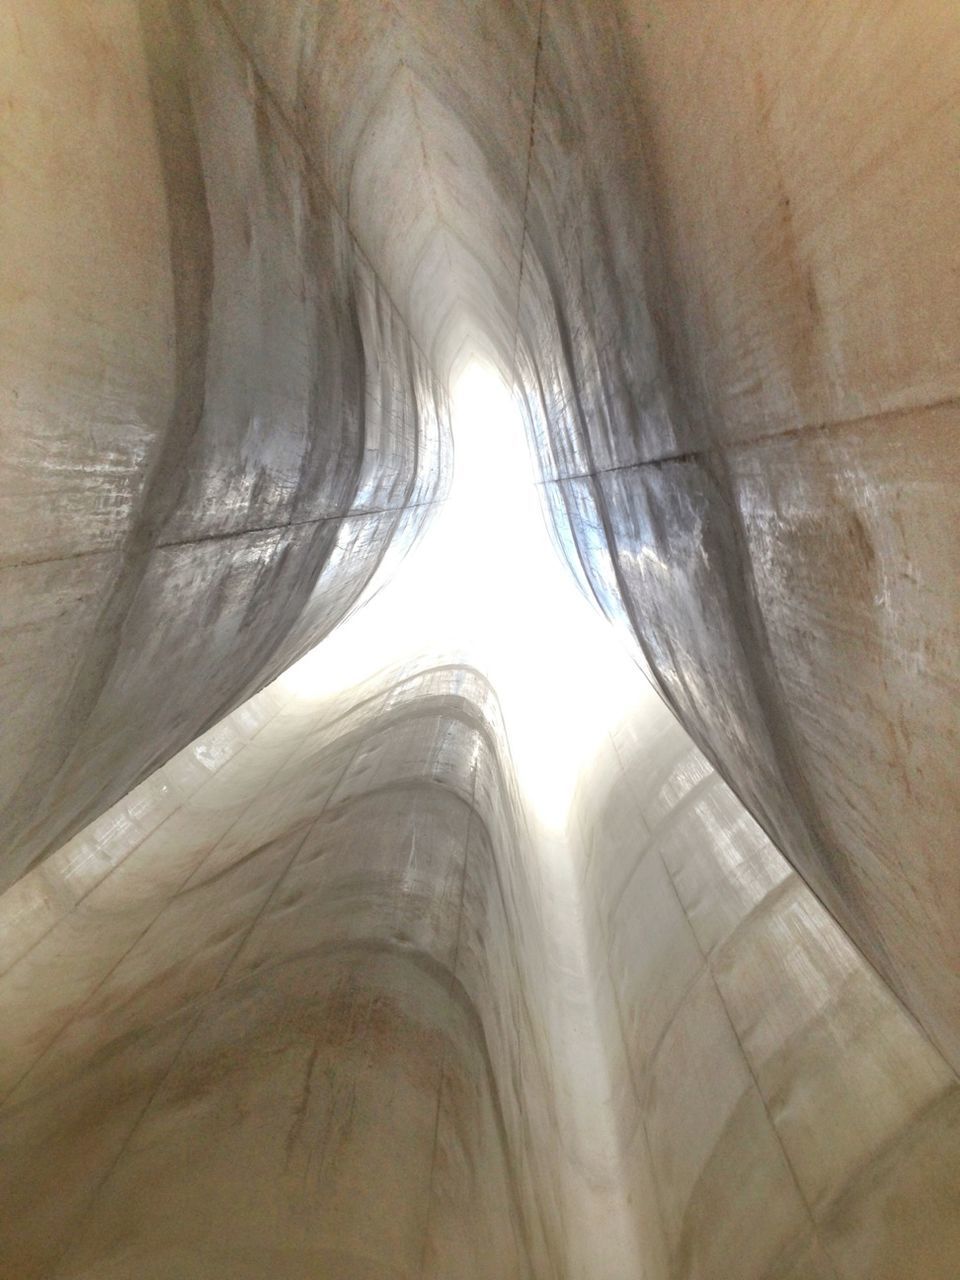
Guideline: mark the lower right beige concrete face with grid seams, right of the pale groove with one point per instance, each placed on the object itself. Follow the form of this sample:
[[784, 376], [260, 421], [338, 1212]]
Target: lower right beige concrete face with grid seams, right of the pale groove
[[780, 1113]]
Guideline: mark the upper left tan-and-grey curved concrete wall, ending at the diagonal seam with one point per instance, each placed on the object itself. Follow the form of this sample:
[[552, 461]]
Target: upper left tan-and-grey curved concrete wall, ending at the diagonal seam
[[216, 420]]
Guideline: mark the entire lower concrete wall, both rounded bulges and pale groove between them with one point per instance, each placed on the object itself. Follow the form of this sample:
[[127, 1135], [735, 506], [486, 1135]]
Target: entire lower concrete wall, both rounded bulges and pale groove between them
[[323, 998]]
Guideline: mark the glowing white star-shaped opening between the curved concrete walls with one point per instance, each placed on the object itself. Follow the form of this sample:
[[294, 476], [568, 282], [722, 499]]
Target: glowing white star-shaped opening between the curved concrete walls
[[486, 584]]
